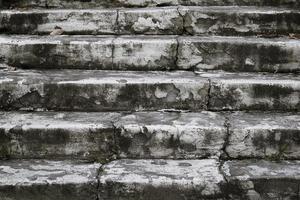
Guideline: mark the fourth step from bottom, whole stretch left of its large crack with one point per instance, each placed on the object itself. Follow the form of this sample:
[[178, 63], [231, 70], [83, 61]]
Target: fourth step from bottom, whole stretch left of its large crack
[[89, 52]]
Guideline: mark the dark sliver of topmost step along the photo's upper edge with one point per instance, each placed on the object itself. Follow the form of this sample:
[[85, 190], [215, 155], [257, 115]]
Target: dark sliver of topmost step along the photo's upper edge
[[142, 3]]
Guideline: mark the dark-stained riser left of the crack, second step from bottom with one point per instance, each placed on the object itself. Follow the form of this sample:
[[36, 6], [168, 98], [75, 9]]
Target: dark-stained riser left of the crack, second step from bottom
[[89, 144]]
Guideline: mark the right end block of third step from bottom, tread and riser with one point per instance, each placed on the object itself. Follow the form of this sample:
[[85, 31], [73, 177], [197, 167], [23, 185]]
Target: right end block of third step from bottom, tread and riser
[[233, 91]]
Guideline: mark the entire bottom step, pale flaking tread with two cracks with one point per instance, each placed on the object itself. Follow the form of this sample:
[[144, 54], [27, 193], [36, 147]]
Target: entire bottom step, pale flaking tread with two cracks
[[149, 179]]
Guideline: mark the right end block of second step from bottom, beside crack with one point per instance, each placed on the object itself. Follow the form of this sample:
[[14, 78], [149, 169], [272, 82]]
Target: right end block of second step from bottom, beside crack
[[264, 135]]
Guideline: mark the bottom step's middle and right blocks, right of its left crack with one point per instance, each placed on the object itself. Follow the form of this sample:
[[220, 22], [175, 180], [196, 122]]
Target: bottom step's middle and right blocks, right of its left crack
[[199, 179]]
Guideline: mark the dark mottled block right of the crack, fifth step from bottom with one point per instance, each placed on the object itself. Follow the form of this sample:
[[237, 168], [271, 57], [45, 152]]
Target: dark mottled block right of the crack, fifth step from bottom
[[240, 20]]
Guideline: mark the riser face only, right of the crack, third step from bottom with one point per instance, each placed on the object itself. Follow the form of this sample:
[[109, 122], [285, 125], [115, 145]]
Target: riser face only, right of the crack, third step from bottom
[[227, 95]]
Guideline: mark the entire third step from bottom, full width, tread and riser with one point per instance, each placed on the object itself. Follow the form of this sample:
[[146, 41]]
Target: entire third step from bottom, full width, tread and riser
[[76, 90]]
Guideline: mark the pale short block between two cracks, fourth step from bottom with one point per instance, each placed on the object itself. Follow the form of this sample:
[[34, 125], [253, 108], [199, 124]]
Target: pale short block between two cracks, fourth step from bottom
[[145, 53]]
